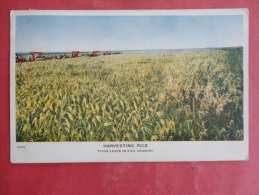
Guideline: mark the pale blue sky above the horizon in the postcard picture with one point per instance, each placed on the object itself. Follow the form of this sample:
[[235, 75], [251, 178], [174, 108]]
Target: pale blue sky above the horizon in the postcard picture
[[107, 33]]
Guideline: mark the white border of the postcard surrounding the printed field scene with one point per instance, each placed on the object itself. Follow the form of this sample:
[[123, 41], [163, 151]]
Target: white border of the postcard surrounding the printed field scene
[[55, 152]]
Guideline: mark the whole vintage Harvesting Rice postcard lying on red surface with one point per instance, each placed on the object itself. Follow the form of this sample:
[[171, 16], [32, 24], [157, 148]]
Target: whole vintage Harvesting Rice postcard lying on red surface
[[129, 86]]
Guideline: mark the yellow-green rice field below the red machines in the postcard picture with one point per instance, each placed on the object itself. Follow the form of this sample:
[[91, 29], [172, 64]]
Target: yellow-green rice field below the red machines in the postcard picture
[[186, 96]]
